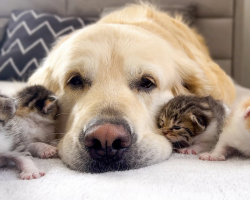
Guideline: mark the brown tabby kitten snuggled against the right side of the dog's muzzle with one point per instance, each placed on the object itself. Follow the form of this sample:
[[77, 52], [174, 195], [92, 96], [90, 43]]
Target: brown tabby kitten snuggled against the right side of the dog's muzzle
[[193, 124]]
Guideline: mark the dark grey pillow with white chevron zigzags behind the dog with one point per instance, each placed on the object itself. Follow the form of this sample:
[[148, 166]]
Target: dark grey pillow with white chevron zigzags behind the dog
[[29, 37]]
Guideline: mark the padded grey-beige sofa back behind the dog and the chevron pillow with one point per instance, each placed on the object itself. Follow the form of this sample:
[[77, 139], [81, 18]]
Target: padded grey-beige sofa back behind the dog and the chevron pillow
[[219, 21]]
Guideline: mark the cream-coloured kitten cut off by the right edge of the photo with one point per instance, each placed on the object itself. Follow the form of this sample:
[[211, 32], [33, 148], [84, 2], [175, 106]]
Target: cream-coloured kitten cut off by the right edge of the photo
[[235, 135]]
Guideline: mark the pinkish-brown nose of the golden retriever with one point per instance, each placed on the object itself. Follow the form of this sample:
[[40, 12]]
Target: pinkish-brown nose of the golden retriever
[[107, 141]]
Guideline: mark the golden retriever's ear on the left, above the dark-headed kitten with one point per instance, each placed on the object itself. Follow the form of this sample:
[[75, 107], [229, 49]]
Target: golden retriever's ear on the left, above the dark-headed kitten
[[46, 74]]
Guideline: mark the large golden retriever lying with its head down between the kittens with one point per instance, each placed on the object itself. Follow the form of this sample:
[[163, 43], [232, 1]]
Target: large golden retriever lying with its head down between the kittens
[[114, 76]]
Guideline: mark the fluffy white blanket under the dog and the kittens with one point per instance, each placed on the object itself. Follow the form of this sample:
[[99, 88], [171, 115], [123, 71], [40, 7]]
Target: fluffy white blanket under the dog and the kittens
[[179, 177]]
